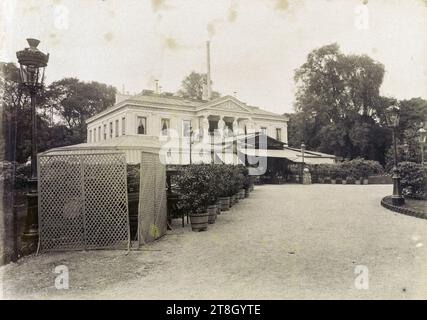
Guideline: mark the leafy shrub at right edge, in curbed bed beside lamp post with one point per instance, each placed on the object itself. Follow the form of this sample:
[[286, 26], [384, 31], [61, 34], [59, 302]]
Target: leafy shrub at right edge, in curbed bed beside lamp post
[[413, 179]]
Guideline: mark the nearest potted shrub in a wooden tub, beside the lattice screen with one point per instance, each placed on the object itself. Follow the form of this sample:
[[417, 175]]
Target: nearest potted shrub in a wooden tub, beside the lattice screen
[[193, 183]]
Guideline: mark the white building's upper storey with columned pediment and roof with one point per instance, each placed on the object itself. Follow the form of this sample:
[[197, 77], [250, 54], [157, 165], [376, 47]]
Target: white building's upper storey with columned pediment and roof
[[156, 115]]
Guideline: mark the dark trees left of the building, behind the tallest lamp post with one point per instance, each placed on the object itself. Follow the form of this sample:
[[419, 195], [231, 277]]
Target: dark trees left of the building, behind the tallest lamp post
[[62, 109]]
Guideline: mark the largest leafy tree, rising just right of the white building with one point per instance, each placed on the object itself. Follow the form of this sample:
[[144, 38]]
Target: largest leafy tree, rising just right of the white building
[[338, 106]]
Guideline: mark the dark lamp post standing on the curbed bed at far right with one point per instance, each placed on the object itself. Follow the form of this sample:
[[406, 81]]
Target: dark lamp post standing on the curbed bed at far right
[[392, 117]]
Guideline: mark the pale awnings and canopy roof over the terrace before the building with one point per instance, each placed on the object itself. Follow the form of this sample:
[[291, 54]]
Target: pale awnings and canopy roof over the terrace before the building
[[231, 150]]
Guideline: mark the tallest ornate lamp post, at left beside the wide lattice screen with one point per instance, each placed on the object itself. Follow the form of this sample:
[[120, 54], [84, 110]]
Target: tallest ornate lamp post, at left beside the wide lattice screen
[[32, 64]]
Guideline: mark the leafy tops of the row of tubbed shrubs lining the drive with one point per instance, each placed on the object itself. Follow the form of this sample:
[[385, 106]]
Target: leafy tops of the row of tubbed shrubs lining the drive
[[201, 185]]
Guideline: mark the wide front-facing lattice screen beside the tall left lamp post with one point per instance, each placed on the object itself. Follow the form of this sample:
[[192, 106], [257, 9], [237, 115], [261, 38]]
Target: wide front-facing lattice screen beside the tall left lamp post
[[83, 201]]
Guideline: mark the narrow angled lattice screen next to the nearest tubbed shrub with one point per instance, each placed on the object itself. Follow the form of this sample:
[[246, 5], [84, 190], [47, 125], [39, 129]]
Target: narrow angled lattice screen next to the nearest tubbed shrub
[[152, 215]]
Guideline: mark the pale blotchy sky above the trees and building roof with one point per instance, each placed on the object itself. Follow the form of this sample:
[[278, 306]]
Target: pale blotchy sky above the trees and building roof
[[256, 45]]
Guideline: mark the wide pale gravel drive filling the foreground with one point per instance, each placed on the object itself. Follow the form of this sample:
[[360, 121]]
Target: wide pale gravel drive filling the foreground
[[284, 242]]
